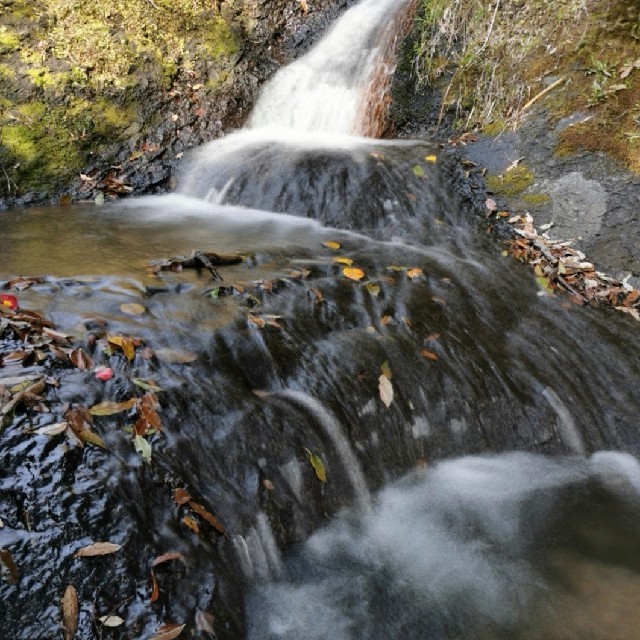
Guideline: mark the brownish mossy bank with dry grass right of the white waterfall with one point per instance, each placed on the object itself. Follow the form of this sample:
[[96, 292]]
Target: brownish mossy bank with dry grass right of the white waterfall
[[493, 61]]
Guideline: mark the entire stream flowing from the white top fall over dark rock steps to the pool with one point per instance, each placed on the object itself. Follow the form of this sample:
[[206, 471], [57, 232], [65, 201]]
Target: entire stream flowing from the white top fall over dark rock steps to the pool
[[479, 437]]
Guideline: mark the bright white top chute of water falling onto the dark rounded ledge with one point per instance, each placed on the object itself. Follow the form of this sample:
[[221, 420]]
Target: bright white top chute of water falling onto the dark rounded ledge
[[323, 90]]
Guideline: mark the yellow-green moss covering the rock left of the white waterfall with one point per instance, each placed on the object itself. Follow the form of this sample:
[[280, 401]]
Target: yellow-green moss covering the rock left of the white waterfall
[[56, 56]]
